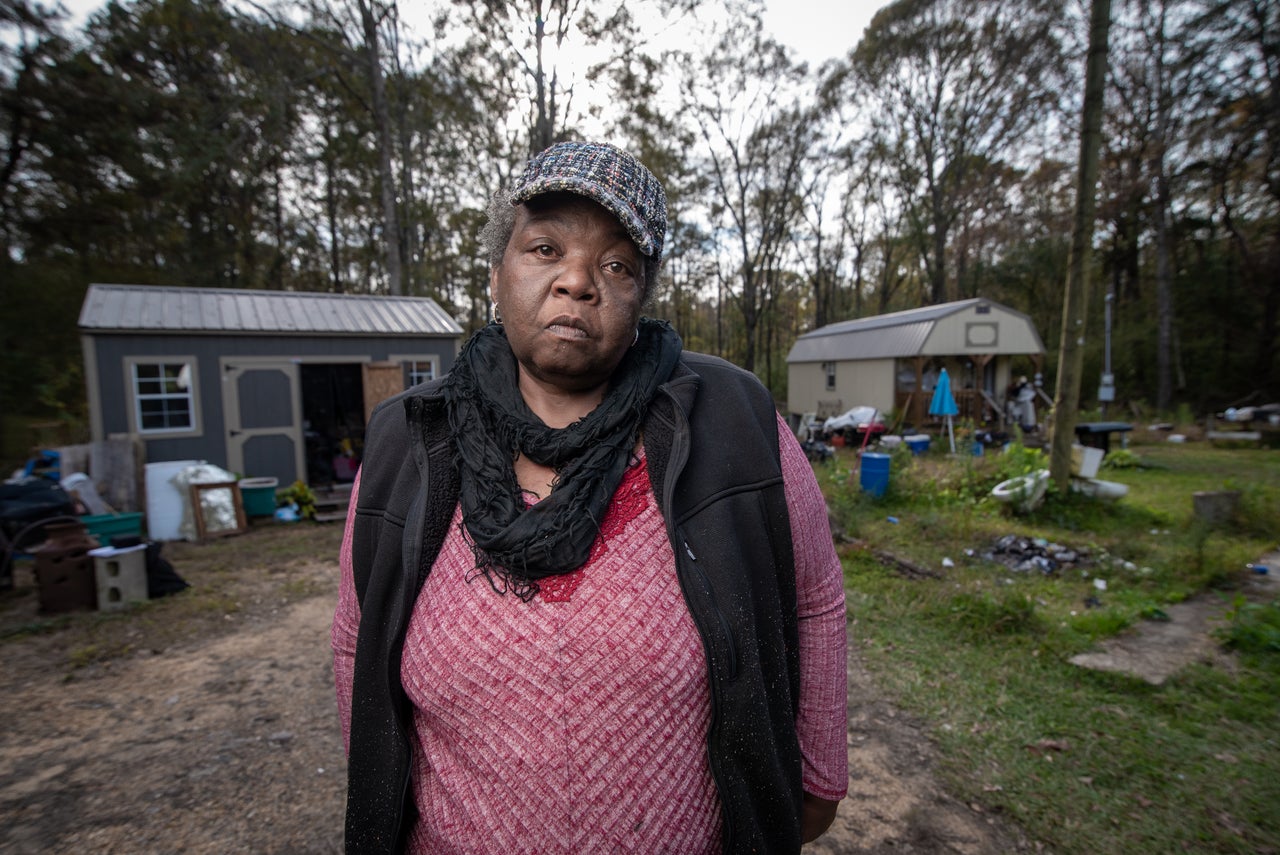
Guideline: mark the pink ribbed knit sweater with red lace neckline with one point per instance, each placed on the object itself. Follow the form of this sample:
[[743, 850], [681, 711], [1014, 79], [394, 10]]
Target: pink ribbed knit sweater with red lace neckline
[[578, 721]]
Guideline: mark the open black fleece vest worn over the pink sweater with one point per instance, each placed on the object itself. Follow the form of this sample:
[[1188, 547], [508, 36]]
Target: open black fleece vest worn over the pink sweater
[[712, 449]]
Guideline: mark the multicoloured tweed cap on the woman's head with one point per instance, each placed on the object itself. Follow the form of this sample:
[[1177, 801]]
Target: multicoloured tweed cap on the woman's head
[[609, 176]]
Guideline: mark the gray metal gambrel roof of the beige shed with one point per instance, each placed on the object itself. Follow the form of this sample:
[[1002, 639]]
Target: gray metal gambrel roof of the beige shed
[[893, 336]]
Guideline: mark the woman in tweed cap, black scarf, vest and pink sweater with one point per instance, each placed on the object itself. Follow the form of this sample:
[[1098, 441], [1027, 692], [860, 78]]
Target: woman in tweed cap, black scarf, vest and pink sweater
[[589, 597]]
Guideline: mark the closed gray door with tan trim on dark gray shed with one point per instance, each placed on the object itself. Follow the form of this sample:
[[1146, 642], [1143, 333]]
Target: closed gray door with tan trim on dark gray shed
[[262, 406]]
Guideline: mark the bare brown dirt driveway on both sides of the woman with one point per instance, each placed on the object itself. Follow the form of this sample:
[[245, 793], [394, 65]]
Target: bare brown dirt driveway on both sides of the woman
[[209, 726]]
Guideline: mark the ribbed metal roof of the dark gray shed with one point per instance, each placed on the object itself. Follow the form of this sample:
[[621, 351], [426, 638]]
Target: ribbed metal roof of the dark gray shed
[[159, 309]]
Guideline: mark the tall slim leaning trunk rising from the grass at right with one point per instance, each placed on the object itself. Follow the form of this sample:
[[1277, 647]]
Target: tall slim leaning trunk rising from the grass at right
[[1076, 298]]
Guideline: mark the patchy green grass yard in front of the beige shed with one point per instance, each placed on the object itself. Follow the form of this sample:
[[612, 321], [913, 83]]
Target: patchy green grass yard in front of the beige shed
[[1085, 762]]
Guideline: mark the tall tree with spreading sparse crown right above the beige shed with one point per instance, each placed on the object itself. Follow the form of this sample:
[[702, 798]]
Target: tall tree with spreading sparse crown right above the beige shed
[[952, 85]]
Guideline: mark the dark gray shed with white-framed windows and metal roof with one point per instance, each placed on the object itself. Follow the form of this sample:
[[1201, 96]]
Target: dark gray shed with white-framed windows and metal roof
[[263, 383]]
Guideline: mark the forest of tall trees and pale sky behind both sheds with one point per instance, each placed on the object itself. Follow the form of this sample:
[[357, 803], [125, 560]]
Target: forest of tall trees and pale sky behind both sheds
[[337, 147]]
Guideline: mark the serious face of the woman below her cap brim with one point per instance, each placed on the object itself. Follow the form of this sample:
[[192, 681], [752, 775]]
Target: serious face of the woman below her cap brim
[[569, 290]]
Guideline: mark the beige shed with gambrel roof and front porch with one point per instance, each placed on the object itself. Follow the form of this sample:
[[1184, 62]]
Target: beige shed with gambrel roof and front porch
[[892, 362]]
